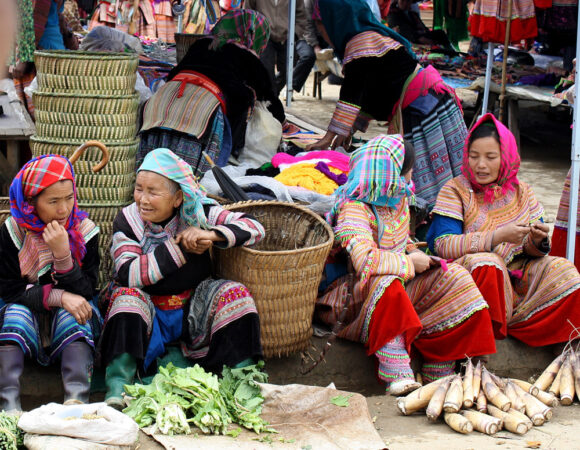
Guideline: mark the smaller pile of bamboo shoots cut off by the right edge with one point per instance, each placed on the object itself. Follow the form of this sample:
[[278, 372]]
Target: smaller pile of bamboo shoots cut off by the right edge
[[562, 377]]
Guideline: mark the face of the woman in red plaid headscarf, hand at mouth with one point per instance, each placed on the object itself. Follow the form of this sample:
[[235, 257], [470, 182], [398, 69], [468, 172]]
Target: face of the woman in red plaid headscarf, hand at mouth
[[56, 202]]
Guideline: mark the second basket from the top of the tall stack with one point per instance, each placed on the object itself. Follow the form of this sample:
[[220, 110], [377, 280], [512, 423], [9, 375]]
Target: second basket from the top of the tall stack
[[48, 82]]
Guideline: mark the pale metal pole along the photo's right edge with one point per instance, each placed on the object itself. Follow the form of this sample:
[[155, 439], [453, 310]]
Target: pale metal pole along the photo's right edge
[[575, 172]]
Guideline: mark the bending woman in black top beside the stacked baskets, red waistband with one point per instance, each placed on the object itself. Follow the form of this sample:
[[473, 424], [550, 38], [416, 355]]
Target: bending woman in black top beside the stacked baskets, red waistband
[[224, 76]]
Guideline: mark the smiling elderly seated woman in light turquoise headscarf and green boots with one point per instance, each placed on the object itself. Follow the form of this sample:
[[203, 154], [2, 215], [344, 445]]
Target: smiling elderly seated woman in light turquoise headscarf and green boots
[[162, 292]]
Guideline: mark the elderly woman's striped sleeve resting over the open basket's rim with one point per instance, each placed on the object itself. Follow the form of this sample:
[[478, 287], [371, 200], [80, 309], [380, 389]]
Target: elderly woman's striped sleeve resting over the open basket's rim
[[237, 228]]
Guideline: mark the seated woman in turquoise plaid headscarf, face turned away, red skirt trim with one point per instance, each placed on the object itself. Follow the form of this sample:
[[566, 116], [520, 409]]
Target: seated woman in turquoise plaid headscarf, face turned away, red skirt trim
[[399, 299]]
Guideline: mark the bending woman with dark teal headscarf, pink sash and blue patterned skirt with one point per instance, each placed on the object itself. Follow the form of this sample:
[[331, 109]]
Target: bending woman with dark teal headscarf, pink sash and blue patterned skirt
[[383, 81]]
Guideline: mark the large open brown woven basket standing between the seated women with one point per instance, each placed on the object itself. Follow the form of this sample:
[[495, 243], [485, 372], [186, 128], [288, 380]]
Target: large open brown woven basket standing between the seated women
[[282, 271]]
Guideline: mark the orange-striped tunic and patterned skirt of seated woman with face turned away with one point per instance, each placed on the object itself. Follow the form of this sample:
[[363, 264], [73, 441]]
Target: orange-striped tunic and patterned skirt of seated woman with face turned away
[[377, 250]]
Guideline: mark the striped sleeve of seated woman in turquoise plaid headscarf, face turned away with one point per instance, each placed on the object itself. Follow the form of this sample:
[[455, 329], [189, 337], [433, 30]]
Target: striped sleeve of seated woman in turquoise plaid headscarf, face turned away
[[354, 232]]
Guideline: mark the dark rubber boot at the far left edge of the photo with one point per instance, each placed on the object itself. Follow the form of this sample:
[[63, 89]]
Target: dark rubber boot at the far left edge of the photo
[[11, 366]]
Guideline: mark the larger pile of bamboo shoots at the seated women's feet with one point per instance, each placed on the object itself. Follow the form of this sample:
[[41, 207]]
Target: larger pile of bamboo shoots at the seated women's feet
[[482, 401]]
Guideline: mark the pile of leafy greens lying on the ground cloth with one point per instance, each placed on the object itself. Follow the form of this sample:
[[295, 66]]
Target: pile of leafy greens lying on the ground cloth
[[176, 397]]
